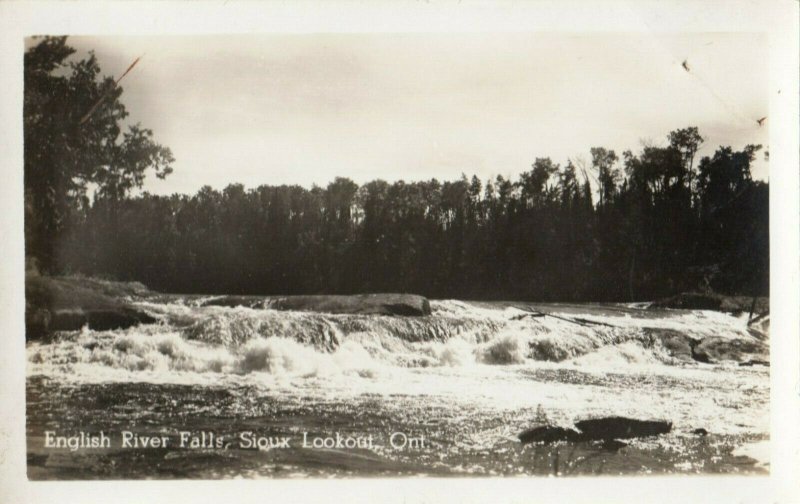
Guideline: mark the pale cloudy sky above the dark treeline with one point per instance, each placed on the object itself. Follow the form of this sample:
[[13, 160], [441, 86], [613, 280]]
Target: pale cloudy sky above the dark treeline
[[303, 109]]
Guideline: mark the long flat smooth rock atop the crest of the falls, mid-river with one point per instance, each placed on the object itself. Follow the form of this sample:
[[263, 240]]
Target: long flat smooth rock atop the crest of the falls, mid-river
[[409, 305]]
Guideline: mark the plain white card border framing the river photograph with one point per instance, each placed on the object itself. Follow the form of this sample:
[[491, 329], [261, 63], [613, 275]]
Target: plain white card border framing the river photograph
[[778, 18]]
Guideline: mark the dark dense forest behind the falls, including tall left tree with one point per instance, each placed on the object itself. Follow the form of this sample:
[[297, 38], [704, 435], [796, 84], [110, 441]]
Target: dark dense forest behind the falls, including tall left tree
[[614, 228]]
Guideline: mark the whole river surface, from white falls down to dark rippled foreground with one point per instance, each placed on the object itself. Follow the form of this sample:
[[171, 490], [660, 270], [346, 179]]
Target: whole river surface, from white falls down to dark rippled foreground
[[365, 395]]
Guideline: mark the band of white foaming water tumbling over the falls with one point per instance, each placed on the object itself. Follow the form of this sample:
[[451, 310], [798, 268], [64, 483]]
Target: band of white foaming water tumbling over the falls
[[239, 341]]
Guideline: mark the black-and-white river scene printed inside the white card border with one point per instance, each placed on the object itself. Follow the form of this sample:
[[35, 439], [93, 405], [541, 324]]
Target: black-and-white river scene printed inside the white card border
[[398, 254]]
